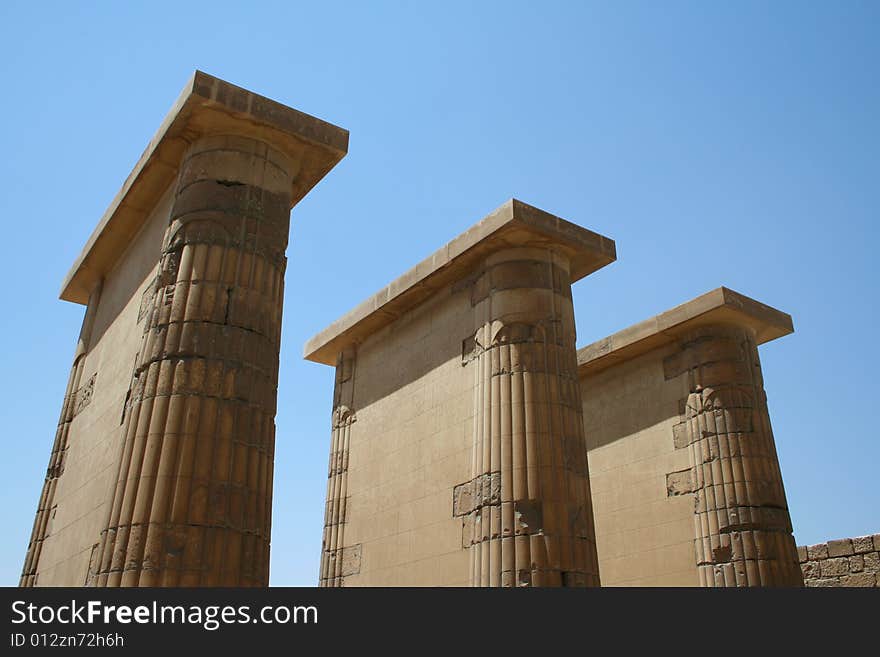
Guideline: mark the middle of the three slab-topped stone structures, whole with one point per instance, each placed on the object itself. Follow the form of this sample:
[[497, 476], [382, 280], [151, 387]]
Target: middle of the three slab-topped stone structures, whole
[[458, 453]]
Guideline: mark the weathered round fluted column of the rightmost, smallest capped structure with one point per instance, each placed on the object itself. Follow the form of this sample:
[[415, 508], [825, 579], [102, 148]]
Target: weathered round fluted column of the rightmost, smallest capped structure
[[742, 525]]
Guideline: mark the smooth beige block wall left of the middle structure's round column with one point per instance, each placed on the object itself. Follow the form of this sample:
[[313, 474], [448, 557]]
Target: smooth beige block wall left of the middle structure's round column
[[403, 404]]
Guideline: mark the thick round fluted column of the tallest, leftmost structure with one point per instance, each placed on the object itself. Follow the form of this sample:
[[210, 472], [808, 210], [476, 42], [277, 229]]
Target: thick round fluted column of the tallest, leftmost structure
[[191, 504]]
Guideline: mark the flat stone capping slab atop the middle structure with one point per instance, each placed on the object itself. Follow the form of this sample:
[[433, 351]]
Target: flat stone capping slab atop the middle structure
[[513, 224]]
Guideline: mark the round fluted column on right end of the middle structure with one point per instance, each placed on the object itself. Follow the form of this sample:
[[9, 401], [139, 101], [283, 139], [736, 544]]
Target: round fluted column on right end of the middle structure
[[528, 513]]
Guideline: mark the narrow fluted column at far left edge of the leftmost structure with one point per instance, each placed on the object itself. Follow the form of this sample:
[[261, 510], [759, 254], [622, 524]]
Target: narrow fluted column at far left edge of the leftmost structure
[[75, 398]]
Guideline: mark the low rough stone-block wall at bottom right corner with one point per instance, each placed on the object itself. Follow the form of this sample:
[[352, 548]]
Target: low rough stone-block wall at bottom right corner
[[844, 562]]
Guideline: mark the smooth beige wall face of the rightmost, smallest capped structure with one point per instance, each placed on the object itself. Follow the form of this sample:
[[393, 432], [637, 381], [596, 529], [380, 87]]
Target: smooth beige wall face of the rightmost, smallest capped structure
[[644, 532]]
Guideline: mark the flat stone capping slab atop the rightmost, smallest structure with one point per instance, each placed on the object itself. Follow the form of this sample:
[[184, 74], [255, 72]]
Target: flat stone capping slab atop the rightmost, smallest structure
[[720, 306]]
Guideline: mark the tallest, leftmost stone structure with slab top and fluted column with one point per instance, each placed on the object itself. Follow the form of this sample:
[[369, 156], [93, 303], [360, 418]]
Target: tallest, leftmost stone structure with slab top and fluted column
[[161, 472]]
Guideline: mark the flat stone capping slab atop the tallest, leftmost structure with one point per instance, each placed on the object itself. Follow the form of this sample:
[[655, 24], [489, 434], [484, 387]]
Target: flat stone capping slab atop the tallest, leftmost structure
[[207, 105]]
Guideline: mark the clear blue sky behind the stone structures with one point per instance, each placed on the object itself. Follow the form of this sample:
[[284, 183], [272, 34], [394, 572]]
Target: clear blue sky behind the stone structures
[[718, 143]]
